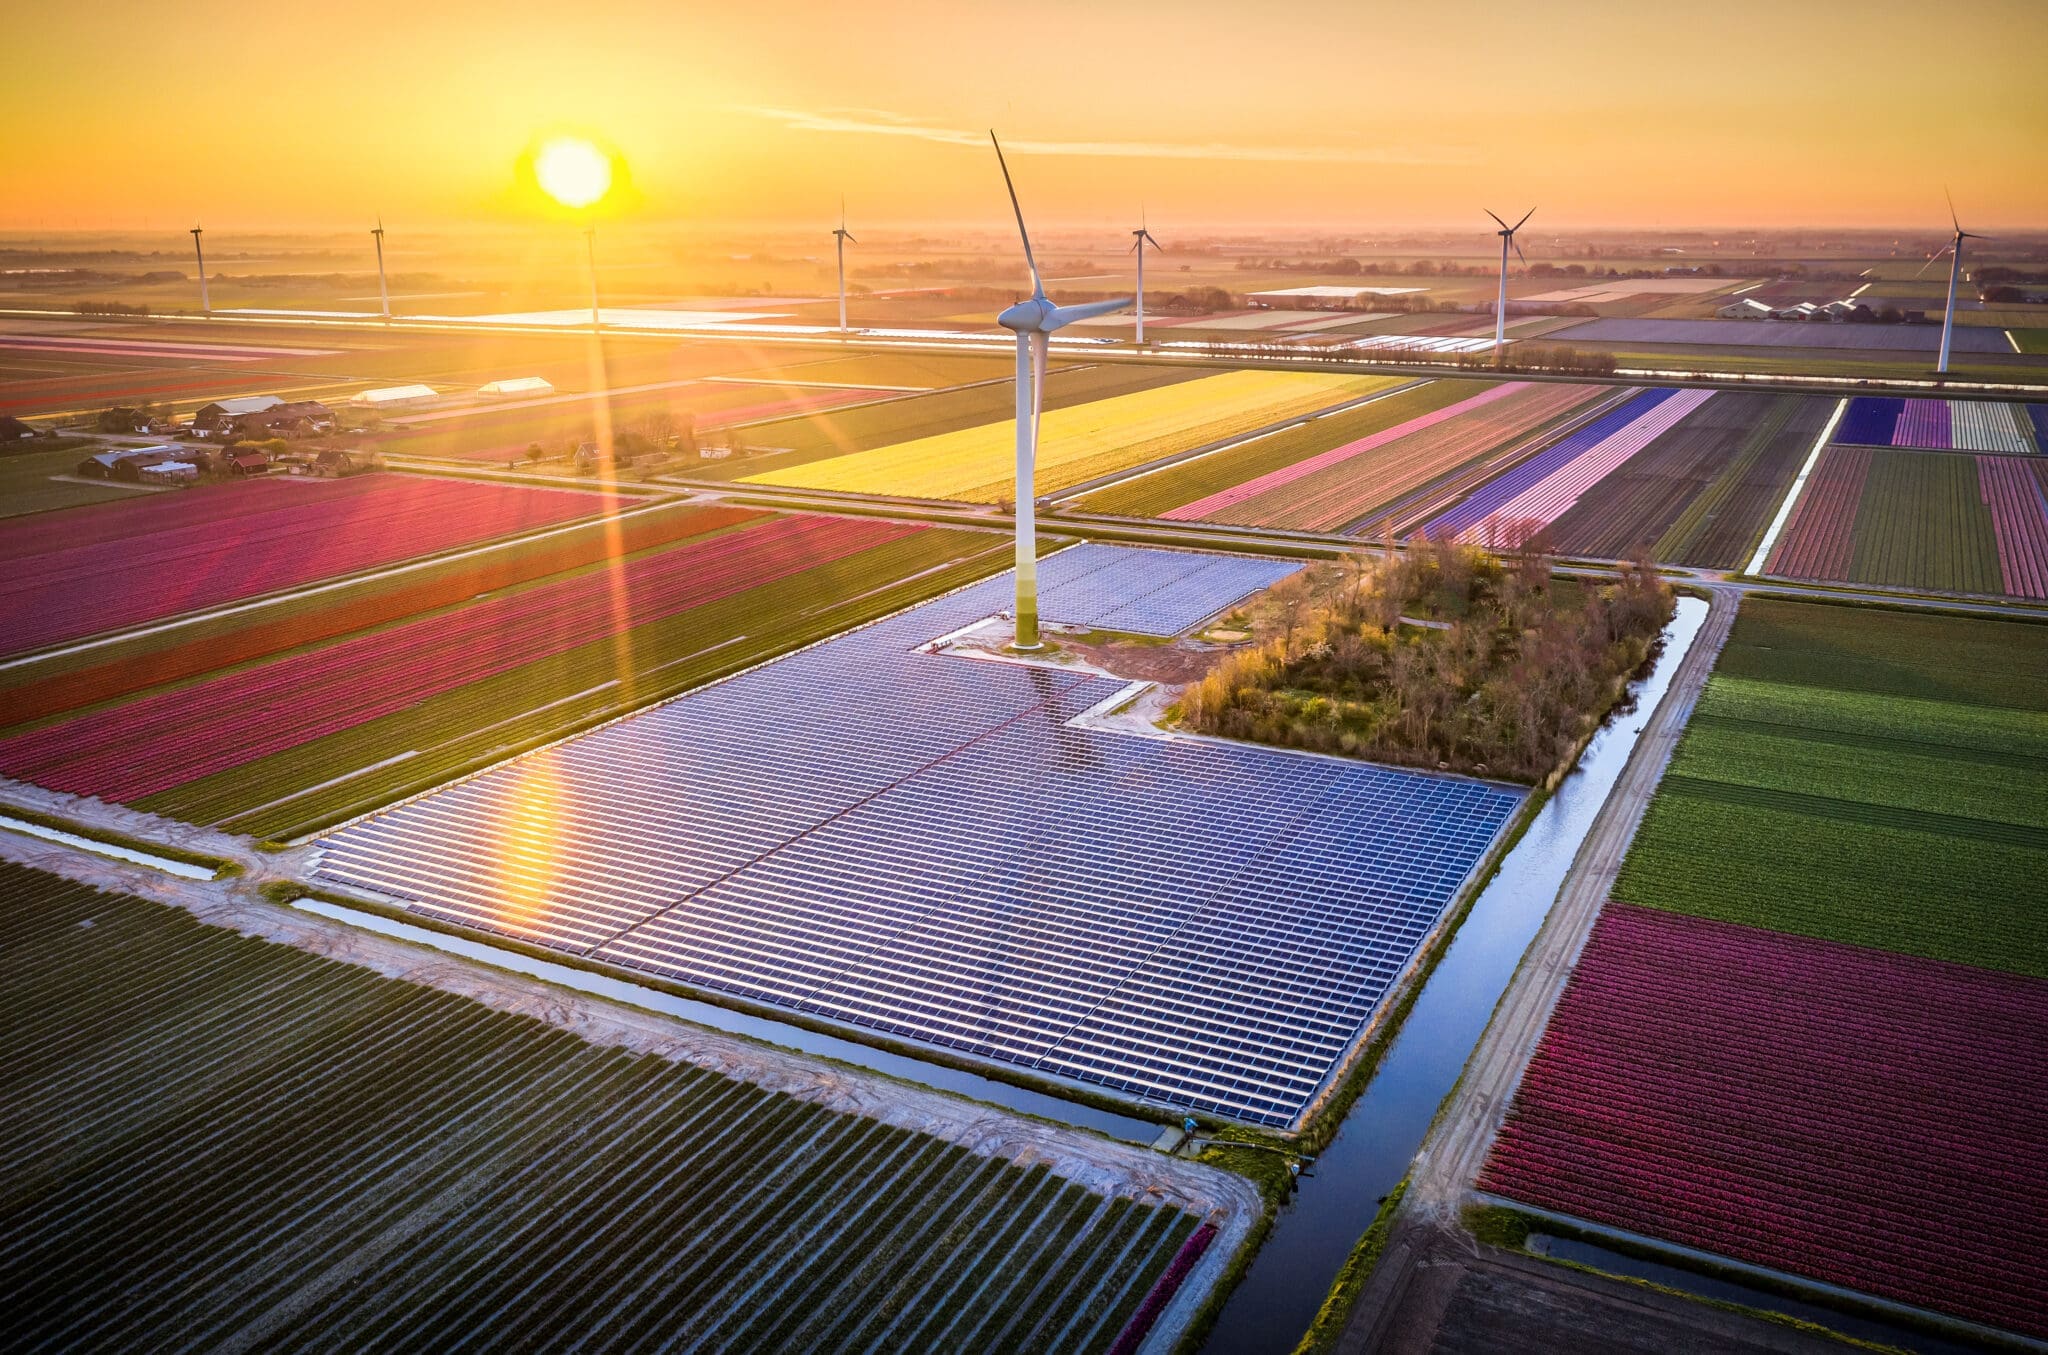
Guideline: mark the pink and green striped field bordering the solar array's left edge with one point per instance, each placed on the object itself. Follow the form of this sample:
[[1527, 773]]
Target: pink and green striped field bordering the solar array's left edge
[[286, 744]]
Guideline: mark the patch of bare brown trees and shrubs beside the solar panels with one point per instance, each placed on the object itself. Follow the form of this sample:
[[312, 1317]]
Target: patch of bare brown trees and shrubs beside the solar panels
[[1445, 656]]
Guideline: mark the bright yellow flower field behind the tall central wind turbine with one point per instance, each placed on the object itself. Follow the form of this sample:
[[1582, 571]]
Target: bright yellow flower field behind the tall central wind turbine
[[1080, 443]]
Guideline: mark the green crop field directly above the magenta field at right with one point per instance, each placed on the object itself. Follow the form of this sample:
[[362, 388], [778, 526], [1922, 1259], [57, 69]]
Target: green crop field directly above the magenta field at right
[[1865, 777]]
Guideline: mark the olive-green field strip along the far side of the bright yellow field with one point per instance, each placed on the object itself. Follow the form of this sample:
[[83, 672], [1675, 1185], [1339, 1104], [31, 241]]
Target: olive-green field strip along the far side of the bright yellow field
[[841, 433]]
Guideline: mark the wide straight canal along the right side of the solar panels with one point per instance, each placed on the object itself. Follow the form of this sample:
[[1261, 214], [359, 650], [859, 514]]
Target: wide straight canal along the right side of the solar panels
[[1371, 1153]]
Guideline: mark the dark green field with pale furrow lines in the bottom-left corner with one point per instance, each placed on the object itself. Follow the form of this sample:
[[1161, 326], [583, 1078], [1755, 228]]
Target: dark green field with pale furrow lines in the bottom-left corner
[[222, 1143]]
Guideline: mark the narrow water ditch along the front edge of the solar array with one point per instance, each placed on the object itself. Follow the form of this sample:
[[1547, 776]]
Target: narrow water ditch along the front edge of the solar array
[[1041, 1104]]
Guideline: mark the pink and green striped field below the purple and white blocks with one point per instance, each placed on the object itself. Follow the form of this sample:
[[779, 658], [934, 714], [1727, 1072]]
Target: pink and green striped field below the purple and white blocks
[[1922, 521]]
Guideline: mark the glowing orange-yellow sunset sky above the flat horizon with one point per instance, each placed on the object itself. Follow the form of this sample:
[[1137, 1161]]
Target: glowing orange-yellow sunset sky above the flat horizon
[[1314, 114]]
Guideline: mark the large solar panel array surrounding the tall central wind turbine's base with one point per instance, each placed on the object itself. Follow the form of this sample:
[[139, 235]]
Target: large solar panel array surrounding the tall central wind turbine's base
[[923, 844]]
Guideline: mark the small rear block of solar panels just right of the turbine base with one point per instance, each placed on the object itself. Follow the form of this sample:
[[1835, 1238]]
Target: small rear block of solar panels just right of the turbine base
[[1148, 593]]
